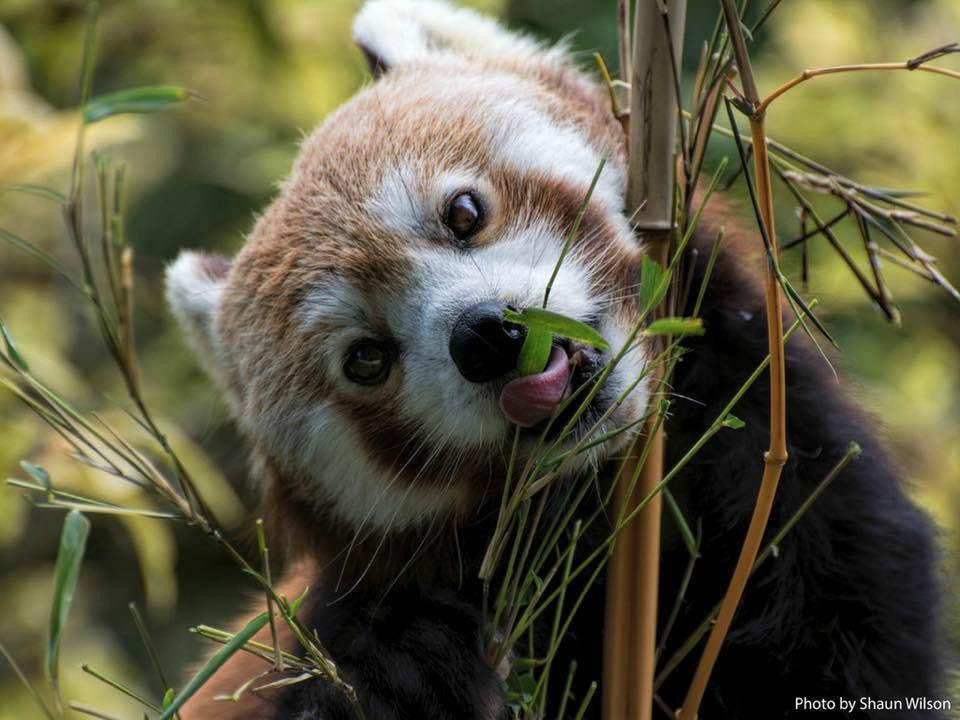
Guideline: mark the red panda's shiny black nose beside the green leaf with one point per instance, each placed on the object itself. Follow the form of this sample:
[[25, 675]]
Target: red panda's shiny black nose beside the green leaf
[[482, 345]]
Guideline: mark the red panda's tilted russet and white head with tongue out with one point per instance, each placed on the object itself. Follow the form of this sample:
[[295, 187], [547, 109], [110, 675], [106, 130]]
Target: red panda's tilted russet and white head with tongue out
[[359, 334]]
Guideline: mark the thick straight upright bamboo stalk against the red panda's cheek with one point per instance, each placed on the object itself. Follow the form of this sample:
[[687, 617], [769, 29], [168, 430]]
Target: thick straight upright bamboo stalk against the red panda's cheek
[[630, 626]]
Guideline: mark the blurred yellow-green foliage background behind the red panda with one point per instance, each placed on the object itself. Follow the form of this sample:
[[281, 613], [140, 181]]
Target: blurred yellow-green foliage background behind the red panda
[[264, 74]]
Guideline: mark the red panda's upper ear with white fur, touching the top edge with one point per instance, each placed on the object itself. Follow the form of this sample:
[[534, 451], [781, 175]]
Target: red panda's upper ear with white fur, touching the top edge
[[392, 32]]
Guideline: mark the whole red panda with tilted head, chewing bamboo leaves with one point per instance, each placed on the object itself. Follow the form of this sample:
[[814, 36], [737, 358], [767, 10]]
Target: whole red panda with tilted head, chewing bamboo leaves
[[358, 338]]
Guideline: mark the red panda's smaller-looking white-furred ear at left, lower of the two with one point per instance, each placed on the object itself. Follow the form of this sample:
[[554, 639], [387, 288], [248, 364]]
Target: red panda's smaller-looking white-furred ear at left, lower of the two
[[195, 283]]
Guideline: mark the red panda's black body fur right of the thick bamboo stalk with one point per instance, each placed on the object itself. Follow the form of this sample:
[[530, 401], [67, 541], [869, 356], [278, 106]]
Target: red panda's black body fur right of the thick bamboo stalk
[[850, 606]]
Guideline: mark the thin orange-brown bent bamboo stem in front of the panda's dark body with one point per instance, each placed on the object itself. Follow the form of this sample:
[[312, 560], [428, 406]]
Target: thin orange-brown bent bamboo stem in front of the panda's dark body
[[776, 455]]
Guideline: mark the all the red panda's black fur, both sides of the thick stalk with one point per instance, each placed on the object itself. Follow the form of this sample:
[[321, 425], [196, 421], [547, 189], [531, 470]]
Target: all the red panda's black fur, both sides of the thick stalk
[[847, 608]]
